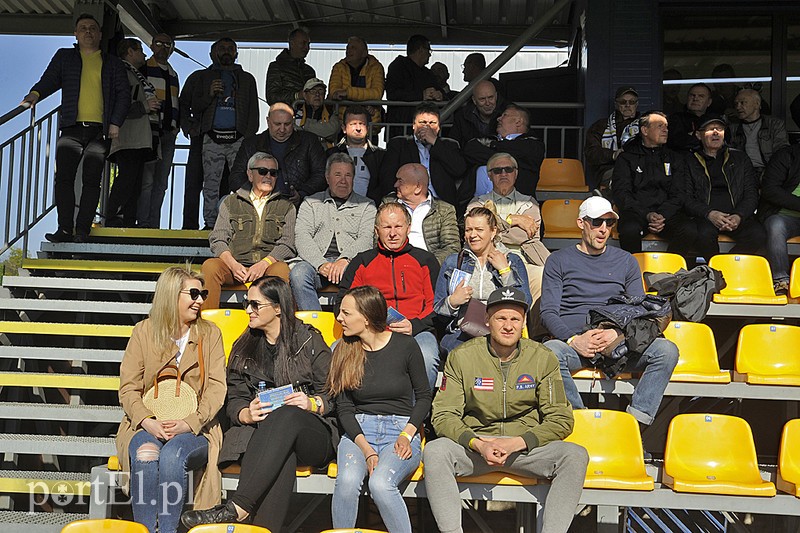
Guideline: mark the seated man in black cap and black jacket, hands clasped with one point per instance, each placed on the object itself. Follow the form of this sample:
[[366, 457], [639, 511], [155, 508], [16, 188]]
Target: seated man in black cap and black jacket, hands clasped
[[721, 196]]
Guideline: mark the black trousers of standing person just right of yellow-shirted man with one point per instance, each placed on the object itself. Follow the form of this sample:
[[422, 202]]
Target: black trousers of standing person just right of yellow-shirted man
[[127, 186]]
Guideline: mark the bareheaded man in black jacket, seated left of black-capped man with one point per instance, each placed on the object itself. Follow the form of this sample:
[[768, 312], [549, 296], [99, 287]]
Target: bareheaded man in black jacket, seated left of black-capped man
[[642, 181]]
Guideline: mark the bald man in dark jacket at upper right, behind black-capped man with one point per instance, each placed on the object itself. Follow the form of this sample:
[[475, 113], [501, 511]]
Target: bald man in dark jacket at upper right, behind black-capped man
[[758, 135]]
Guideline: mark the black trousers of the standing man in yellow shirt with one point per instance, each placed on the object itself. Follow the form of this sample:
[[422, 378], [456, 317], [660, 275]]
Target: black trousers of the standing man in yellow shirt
[[76, 143]]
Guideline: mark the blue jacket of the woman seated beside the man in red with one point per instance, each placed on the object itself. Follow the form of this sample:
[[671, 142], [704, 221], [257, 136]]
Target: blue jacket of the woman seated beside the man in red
[[519, 279]]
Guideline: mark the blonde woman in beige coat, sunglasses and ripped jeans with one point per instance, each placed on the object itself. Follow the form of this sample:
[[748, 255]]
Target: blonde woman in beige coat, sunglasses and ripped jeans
[[160, 453]]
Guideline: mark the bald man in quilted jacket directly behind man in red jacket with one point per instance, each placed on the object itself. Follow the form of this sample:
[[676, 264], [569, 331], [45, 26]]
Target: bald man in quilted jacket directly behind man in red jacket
[[433, 221]]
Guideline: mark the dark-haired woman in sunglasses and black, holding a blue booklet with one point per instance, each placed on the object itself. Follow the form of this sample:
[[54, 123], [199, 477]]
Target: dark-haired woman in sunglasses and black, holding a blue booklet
[[278, 349]]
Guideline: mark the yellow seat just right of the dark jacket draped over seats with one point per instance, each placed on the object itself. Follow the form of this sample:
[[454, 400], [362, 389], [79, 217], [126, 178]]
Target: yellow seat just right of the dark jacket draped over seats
[[748, 279]]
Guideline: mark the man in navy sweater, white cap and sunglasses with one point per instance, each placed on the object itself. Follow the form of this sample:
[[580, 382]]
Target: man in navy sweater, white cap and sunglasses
[[583, 277]]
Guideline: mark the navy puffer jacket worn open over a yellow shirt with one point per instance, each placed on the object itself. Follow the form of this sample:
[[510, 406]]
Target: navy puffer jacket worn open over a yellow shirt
[[64, 72]]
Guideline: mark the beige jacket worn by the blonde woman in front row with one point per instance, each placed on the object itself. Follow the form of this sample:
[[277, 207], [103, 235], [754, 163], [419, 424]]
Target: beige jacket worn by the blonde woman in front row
[[139, 366]]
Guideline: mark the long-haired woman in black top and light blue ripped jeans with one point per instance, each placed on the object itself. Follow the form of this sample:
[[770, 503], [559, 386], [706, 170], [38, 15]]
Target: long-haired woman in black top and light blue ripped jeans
[[382, 396]]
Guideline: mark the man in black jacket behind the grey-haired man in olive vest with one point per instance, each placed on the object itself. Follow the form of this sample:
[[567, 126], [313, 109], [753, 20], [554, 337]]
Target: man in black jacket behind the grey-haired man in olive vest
[[301, 159]]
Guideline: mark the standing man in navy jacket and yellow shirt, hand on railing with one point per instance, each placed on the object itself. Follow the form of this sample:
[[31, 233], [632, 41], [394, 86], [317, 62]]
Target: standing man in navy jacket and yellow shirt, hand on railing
[[85, 124]]
